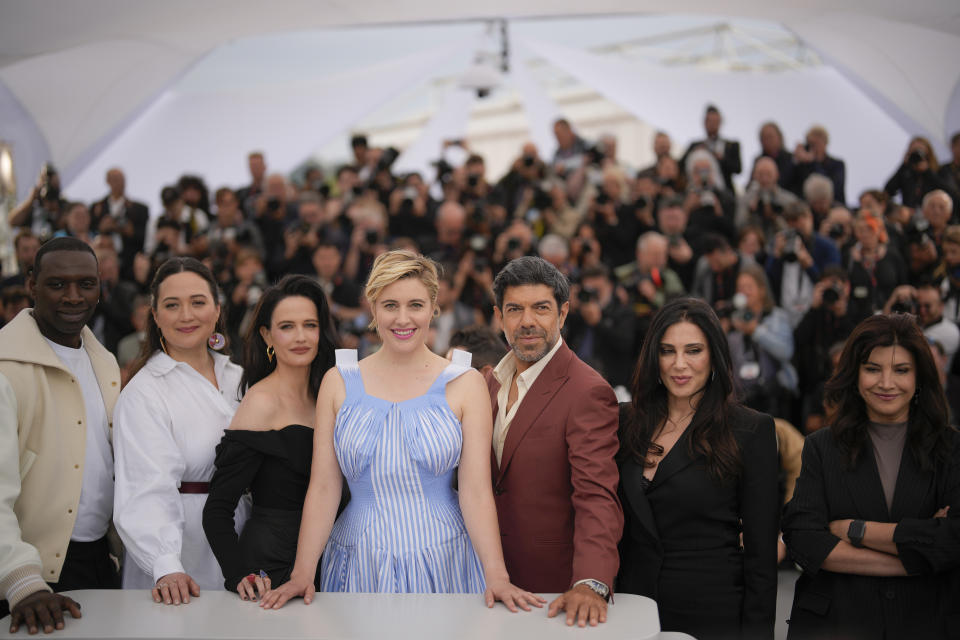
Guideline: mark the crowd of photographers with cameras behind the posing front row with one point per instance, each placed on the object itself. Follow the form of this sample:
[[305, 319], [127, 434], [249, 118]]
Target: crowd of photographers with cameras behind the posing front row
[[789, 267]]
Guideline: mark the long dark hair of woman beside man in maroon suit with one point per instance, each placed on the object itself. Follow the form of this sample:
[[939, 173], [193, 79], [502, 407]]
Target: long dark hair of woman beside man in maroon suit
[[710, 434]]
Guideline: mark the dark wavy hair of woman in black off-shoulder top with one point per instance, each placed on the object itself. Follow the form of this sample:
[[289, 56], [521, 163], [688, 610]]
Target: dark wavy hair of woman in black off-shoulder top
[[256, 364]]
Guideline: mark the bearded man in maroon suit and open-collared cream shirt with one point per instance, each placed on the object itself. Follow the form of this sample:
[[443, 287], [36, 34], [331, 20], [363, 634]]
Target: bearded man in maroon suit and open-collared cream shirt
[[554, 442]]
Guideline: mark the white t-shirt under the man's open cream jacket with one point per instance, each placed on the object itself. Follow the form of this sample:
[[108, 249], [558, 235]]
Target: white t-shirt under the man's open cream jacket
[[96, 492]]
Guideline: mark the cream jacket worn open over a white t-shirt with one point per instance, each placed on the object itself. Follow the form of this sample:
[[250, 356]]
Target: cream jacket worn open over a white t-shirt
[[42, 412]]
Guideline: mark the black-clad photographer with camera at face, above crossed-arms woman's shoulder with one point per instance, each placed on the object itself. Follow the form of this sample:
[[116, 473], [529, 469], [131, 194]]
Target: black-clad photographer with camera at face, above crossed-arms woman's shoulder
[[827, 322]]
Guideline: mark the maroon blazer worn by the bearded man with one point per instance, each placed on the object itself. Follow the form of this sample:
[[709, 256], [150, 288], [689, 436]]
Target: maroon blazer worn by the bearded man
[[556, 485]]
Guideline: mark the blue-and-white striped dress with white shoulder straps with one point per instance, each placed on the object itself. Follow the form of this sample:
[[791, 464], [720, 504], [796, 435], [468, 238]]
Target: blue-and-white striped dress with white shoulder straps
[[402, 531]]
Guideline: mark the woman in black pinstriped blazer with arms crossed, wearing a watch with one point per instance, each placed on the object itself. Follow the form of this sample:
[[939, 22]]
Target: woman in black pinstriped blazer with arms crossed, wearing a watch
[[875, 517]]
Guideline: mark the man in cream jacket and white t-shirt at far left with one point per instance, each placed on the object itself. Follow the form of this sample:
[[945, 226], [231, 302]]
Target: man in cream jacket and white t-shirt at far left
[[58, 386]]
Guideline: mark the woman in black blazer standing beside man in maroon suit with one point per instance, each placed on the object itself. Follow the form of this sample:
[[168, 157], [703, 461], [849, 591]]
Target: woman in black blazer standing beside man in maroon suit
[[698, 485]]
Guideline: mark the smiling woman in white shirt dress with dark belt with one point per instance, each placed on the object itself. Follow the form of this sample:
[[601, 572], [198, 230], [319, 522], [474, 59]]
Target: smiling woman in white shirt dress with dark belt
[[167, 423]]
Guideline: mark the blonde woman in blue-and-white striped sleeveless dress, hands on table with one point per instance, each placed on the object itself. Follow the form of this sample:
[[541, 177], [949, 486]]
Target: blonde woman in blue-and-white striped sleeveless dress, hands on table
[[397, 425]]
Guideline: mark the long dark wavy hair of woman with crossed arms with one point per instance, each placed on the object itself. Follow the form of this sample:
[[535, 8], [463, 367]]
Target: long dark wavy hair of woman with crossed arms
[[928, 421]]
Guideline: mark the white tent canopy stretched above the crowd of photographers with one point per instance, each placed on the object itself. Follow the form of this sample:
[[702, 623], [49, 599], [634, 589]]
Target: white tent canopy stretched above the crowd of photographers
[[94, 83]]
